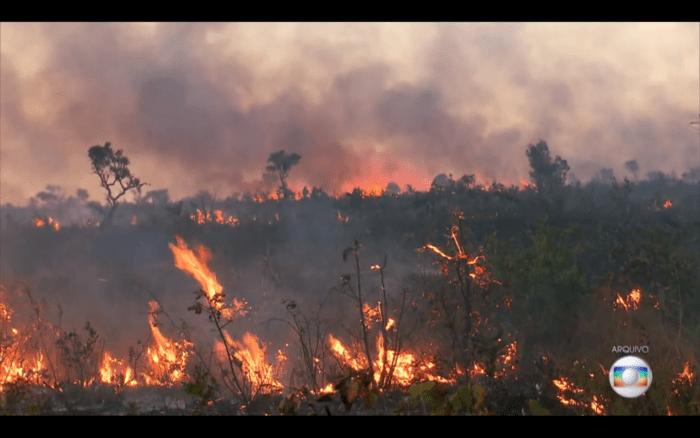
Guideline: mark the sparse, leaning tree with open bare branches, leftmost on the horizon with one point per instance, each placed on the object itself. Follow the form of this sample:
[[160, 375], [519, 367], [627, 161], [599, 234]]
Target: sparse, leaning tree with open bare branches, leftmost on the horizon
[[116, 178]]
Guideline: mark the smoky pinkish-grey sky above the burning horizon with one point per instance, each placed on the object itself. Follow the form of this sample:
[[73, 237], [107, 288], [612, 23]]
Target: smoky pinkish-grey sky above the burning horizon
[[201, 106]]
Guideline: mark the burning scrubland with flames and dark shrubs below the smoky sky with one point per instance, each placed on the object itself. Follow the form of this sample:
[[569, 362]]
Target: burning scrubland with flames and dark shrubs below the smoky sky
[[514, 290]]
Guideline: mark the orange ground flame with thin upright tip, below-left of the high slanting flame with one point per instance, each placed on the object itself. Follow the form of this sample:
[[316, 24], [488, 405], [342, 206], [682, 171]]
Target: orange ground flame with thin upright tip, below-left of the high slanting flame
[[167, 359]]
